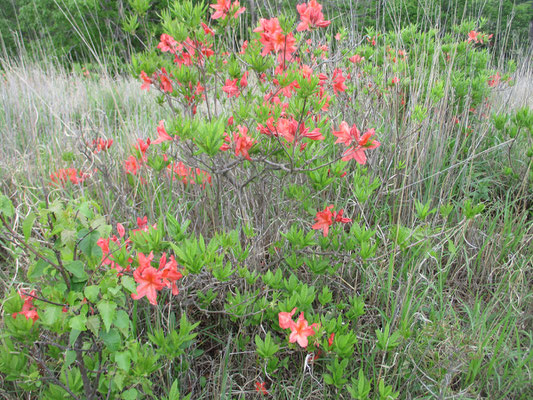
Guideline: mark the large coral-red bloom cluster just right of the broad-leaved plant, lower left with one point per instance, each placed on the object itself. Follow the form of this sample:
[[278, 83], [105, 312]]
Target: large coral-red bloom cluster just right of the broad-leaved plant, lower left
[[152, 280]]
